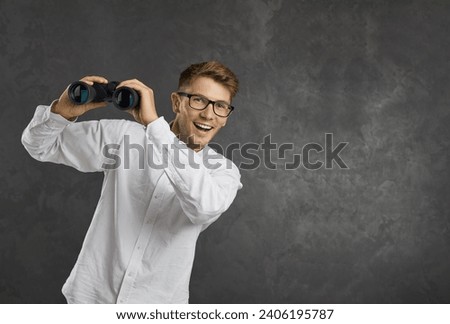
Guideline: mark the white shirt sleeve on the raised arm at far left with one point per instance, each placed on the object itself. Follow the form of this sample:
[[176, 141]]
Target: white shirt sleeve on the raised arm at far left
[[50, 137]]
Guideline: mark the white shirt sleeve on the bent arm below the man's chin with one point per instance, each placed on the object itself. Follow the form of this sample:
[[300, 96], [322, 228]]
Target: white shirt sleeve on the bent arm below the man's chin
[[205, 189]]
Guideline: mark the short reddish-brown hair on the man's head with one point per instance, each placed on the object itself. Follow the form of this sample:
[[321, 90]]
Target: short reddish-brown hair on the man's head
[[211, 69]]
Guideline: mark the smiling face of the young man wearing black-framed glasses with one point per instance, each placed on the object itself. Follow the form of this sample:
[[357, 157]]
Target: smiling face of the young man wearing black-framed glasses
[[197, 127]]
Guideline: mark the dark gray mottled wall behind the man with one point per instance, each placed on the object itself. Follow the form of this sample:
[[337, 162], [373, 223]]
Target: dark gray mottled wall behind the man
[[375, 74]]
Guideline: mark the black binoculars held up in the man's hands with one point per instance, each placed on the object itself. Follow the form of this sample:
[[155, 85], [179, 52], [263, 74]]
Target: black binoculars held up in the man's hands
[[123, 98]]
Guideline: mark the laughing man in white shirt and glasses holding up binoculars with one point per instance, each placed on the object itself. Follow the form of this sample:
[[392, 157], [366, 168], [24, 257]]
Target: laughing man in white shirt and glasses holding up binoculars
[[140, 245]]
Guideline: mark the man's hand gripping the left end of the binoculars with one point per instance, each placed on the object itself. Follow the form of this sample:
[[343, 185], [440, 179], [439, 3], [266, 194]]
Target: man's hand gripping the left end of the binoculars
[[66, 108]]
